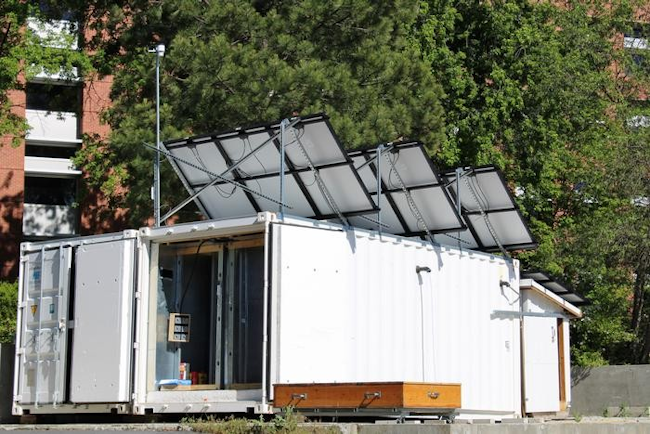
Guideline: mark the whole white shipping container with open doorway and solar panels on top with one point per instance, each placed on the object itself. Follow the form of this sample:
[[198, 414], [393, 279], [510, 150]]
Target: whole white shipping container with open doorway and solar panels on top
[[269, 301]]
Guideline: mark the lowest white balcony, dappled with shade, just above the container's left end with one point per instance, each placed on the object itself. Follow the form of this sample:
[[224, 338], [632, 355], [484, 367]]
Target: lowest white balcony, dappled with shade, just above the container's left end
[[49, 220]]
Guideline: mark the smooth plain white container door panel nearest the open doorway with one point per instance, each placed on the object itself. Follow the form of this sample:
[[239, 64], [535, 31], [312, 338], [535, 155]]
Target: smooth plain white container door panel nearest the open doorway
[[102, 339]]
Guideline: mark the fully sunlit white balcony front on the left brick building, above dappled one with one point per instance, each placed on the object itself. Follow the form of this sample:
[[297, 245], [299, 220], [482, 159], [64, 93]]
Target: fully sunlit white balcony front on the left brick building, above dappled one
[[48, 126]]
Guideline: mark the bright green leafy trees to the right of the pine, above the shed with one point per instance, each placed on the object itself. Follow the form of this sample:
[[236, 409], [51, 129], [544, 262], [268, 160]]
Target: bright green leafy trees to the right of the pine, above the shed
[[545, 92]]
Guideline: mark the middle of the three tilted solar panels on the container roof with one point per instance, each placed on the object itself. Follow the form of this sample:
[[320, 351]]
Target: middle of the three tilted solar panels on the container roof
[[413, 200]]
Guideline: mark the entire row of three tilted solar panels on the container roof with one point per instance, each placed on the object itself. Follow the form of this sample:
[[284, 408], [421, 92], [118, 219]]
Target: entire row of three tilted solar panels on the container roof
[[237, 173]]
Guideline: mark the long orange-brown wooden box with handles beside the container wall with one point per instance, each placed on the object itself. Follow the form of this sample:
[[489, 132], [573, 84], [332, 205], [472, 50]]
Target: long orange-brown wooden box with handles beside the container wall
[[368, 395]]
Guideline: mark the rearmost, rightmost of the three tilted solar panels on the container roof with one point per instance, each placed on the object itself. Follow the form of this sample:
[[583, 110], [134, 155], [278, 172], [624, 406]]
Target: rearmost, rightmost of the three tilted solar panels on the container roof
[[489, 211]]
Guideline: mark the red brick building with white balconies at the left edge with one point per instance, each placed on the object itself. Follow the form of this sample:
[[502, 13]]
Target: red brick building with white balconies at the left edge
[[39, 185]]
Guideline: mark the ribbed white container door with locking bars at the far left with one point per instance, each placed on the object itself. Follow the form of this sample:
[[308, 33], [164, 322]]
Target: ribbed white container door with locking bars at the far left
[[43, 342]]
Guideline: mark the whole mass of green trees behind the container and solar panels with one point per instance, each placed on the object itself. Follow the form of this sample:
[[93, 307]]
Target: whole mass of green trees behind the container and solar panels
[[546, 91]]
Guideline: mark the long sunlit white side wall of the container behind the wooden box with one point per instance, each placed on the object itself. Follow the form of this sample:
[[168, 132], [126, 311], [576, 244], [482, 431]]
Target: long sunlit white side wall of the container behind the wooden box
[[351, 308]]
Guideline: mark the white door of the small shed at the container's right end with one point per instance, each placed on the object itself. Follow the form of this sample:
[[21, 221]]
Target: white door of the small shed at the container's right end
[[541, 365]]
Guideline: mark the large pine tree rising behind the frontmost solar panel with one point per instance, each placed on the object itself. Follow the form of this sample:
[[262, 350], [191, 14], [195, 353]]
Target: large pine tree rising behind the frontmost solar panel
[[237, 62]]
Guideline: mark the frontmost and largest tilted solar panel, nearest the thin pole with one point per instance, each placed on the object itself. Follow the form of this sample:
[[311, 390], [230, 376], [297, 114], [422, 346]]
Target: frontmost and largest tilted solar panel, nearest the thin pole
[[237, 172]]
